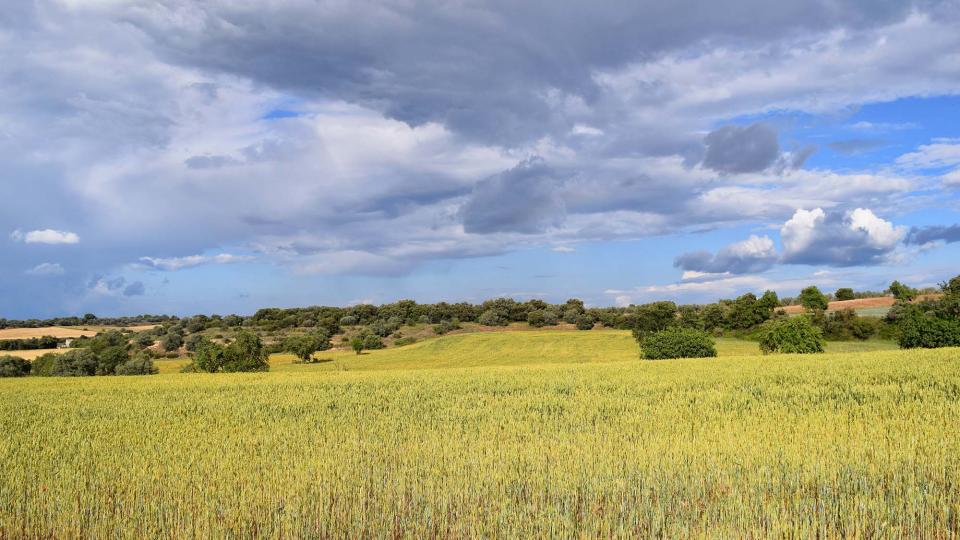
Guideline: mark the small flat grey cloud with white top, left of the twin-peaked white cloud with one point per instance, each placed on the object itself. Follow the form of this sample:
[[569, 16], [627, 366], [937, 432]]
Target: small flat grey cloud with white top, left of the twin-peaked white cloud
[[755, 254]]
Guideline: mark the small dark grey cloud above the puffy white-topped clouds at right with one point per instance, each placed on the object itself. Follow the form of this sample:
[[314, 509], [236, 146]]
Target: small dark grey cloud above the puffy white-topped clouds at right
[[741, 149]]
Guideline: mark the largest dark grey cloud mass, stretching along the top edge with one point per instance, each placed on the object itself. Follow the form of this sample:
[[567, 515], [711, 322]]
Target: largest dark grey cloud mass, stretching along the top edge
[[483, 70]]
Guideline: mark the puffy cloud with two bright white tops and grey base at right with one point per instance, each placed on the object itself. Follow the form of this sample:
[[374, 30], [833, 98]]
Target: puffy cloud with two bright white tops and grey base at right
[[839, 239]]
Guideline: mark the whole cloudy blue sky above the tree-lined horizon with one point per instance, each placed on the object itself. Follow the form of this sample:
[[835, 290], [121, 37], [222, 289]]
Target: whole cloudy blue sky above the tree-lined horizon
[[179, 157]]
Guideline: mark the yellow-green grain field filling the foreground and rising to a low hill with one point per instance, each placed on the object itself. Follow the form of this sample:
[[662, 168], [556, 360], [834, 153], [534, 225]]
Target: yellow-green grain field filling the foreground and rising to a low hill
[[521, 434]]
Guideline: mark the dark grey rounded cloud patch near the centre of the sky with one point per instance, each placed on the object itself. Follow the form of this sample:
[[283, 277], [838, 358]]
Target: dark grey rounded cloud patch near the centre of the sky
[[524, 199]]
